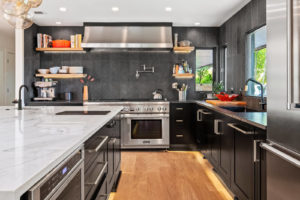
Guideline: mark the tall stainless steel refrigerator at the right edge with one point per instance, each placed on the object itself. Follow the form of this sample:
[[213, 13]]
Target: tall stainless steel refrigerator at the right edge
[[283, 132]]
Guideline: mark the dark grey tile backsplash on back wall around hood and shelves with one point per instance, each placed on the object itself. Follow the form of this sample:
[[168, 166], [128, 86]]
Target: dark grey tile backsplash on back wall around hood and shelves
[[115, 72]]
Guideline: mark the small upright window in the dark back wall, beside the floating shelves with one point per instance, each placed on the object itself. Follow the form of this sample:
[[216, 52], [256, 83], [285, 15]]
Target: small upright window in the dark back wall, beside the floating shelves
[[204, 69]]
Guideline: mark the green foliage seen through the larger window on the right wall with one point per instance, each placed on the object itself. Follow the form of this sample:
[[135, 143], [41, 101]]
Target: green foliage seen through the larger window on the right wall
[[260, 67]]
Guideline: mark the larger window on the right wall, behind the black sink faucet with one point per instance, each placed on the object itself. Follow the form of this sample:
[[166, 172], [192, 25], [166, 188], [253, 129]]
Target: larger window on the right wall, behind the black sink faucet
[[256, 61]]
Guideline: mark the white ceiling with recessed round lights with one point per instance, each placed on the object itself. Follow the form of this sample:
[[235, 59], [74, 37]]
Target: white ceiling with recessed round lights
[[184, 12]]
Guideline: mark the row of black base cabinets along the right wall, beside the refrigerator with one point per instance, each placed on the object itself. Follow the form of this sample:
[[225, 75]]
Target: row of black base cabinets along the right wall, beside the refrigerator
[[232, 147]]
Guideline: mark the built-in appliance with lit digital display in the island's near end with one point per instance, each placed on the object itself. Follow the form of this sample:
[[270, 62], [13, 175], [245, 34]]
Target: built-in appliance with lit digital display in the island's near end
[[66, 181]]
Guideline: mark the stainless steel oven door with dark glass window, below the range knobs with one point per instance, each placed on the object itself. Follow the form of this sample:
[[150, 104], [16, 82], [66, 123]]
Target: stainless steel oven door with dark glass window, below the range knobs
[[145, 131]]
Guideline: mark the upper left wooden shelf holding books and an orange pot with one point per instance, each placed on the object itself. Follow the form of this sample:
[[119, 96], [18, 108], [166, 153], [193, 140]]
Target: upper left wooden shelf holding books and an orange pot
[[47, 45]]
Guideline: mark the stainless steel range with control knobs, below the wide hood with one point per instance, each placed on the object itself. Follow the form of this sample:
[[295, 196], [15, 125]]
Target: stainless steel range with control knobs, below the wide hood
[[144, 124]]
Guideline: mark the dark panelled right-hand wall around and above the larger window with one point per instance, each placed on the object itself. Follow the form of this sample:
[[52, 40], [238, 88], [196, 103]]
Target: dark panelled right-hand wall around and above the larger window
[[233, 35]]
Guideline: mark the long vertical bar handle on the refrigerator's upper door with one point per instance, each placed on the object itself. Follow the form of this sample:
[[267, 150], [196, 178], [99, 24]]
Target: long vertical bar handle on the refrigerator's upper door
[[289, 55]]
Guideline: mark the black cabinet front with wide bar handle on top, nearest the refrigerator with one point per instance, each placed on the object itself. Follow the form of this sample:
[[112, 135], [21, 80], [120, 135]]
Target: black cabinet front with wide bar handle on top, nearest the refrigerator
[[244, 167]]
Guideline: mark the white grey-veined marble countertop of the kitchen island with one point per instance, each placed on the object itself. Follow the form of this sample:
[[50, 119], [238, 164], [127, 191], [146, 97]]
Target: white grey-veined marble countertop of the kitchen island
[[35, 140]]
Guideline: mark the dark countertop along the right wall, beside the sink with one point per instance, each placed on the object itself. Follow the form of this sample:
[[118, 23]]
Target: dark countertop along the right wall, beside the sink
[[257, 119]]
